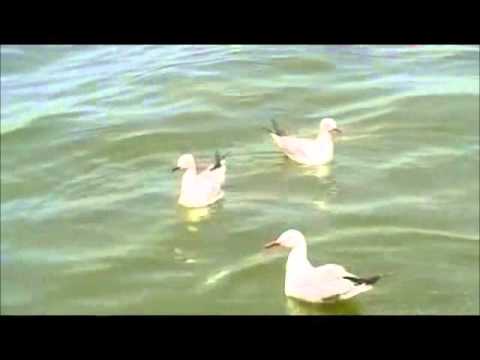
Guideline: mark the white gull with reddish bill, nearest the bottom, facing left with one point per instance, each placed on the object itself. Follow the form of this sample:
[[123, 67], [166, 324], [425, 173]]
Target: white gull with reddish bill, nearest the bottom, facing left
[[326, 283]]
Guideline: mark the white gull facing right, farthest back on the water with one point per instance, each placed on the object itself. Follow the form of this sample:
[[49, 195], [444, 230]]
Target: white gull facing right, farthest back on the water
[[312, 152]]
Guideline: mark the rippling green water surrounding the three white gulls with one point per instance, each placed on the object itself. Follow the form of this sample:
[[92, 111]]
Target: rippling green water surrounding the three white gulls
[[89, 220]]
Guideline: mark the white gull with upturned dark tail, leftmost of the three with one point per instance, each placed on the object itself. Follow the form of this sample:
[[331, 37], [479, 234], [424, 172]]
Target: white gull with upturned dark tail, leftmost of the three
[[201, 187]]
